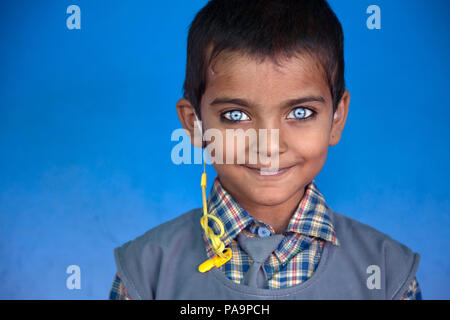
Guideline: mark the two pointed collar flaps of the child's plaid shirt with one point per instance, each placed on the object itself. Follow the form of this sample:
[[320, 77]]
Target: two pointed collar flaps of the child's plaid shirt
[[311, 218]]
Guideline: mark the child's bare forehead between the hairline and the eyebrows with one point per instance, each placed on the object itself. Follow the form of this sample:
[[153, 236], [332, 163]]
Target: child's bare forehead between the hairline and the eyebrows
[[243, 76]]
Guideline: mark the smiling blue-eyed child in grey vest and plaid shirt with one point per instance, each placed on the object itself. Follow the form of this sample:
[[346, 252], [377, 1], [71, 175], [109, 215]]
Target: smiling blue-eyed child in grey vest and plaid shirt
[[276, 65]]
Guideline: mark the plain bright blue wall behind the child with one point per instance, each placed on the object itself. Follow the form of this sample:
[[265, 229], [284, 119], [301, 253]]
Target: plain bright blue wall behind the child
[[86, 118]]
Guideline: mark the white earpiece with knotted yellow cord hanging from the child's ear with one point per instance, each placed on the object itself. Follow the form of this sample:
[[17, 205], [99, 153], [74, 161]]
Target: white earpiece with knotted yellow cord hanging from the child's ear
[[223, 255]]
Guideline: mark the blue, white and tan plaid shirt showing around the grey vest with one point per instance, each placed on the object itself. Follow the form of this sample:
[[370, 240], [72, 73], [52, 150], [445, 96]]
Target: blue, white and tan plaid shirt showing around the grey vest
[[297, 256]]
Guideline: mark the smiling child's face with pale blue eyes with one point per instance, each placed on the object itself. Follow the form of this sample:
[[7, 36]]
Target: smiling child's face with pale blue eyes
[[266, 89]]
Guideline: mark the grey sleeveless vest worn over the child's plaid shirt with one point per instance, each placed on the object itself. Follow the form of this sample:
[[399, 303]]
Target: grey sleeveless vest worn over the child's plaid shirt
[[163, 262]]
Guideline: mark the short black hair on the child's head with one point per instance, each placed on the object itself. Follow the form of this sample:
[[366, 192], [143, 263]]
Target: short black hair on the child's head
[[264, 28]]
